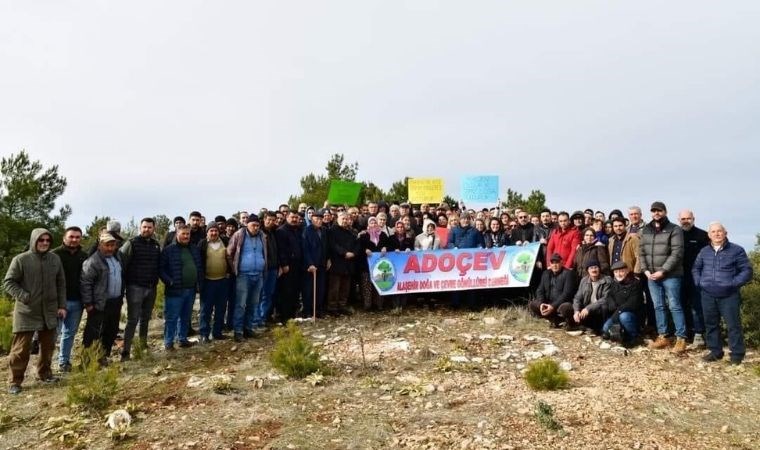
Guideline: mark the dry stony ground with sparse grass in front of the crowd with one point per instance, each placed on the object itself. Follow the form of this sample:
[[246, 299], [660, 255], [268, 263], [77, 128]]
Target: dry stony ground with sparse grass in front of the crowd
[[423, 379]]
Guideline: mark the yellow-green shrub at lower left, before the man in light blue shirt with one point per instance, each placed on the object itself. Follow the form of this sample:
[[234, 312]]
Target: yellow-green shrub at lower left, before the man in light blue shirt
[[90, 387]]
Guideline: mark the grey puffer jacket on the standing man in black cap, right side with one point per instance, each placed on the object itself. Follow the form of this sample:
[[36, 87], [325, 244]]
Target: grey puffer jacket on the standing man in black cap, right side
[[662, 250]]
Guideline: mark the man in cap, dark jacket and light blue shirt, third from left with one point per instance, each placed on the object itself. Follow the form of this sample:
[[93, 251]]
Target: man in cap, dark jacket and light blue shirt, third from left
[[102, 287]]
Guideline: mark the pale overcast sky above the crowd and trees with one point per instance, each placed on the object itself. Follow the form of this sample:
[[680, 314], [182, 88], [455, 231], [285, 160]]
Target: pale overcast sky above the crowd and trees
[[166, 107]]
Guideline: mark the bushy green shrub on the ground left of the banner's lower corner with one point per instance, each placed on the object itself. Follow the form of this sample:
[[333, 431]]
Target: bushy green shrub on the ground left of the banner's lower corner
[[293, 354]]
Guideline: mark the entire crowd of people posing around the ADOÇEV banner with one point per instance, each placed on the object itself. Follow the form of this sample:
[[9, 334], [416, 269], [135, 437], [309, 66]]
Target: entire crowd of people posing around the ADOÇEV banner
[[613, 275]]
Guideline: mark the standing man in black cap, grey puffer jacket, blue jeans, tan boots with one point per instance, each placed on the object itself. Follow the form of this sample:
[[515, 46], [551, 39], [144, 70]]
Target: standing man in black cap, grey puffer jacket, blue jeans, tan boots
[[661, 260]]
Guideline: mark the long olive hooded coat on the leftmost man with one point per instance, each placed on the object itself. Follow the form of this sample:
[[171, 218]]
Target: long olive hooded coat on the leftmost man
[[37, 283]]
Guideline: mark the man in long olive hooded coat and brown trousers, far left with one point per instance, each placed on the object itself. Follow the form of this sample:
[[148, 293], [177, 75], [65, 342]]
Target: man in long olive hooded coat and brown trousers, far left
[[36, 281]]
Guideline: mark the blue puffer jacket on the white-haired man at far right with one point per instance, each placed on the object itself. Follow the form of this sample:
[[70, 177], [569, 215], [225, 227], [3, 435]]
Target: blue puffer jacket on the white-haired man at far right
[[721, 273]]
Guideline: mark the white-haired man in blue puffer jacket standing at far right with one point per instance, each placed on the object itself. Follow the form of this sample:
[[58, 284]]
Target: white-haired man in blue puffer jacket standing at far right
[[719, 271]]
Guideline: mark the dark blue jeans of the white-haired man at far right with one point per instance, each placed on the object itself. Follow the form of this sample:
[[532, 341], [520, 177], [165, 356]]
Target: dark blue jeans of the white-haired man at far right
[[729, 308]]
